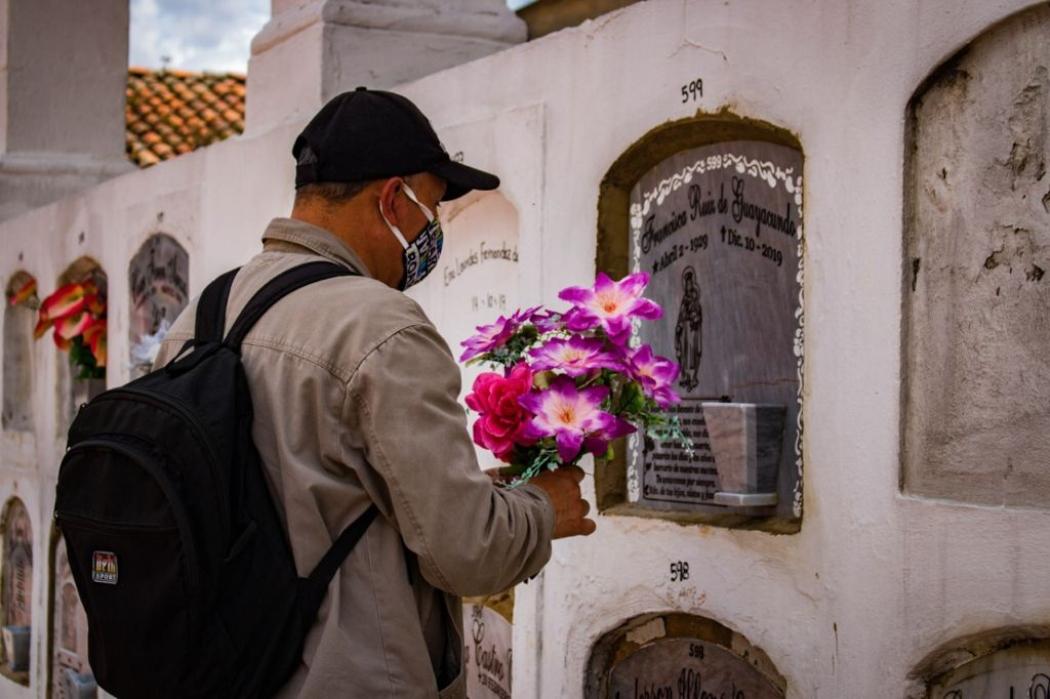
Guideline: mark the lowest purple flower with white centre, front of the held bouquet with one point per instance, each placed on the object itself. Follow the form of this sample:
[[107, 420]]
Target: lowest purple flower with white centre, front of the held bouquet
[[573, 416]]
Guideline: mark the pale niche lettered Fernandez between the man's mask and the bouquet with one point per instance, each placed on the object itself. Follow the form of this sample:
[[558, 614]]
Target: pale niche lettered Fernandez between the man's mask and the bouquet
[[477, 279]]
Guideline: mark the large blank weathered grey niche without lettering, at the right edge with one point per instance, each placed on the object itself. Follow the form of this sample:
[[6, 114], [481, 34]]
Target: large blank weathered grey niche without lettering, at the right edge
[[976, 380]]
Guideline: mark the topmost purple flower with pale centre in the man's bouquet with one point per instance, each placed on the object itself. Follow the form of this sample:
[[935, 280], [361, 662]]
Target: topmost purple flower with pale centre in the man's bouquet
[[610, 305]]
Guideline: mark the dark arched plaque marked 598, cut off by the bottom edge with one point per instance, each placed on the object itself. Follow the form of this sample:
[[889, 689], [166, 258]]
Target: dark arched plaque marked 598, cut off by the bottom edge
[[688, 669]]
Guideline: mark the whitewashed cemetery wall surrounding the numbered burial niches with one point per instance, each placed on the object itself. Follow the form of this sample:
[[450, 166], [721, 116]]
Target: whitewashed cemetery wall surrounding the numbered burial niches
[[876, 580]]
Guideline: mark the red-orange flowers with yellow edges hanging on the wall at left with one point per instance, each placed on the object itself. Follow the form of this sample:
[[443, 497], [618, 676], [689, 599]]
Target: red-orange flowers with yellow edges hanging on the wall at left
[[77, 312]]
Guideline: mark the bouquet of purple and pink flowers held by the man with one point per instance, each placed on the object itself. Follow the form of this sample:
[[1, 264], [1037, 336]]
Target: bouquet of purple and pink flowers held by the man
[[572, 382]]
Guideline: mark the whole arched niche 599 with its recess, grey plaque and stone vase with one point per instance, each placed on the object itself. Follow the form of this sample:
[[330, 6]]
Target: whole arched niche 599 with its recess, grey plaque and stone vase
[[711, 208]]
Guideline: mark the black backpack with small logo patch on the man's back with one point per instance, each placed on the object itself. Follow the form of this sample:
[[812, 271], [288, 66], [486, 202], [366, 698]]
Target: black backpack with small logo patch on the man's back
[[179, 555]]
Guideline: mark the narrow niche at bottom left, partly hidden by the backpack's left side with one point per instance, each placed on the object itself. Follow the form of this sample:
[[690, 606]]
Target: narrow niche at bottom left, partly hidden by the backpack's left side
[[70, 673]]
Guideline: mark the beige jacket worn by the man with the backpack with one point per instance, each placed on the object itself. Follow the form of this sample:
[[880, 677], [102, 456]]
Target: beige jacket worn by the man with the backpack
[[355, 399]]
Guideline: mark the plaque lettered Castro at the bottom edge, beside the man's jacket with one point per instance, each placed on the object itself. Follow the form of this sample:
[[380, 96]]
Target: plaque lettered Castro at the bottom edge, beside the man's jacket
[[488, 653]]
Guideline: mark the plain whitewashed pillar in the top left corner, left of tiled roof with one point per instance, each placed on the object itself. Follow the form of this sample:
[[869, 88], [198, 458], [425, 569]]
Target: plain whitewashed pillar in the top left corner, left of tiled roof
[[64, 72]]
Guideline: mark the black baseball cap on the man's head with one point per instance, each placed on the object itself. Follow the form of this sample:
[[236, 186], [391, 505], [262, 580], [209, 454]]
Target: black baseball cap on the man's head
[[371, 135]]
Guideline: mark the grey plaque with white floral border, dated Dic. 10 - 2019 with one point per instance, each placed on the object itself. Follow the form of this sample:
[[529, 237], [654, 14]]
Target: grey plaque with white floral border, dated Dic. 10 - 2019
[[719, 229]]
